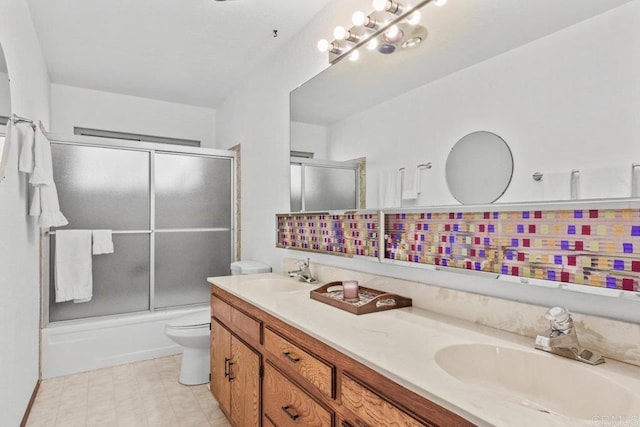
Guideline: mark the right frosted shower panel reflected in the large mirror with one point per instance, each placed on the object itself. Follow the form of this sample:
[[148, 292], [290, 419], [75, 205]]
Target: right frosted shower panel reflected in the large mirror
[[329, 188]]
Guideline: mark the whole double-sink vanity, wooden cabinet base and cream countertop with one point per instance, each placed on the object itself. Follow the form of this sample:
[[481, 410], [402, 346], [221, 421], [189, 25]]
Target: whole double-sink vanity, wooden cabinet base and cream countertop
[[280, 358]]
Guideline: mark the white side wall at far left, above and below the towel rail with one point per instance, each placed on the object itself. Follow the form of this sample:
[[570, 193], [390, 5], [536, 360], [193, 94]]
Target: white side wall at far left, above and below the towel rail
[[20, 296]]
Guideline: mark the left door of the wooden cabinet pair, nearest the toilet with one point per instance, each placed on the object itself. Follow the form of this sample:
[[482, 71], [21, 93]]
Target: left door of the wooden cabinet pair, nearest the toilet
[[220, 359]]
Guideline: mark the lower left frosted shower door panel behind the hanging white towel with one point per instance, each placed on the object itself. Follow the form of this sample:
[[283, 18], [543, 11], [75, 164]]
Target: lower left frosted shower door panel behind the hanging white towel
[[120, 281]]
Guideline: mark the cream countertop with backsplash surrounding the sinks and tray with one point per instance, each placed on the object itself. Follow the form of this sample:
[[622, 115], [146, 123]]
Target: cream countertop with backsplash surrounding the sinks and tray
[[402, 344]]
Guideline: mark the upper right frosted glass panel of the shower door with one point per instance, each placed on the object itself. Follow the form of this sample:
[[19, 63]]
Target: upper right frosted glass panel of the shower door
[[192, 191]]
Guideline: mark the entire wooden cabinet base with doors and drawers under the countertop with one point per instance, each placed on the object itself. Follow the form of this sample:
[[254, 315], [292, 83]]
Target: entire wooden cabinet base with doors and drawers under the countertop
[[306, 382]]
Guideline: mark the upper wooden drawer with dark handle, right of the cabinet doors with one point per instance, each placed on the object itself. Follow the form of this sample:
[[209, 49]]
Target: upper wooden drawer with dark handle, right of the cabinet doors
[[312, 369]]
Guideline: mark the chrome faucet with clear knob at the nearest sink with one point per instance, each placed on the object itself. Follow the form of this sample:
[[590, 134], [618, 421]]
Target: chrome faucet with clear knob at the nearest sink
[[561, 338]]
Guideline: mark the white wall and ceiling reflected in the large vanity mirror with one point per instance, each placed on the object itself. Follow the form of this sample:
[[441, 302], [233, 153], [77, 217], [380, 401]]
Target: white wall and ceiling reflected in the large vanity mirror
[[557, 81]]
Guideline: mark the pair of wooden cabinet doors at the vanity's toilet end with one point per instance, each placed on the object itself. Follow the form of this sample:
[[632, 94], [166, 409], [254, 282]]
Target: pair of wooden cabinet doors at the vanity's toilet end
[[235, 377]]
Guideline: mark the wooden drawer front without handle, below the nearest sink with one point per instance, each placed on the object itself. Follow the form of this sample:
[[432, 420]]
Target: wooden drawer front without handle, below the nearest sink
[[370, 407]]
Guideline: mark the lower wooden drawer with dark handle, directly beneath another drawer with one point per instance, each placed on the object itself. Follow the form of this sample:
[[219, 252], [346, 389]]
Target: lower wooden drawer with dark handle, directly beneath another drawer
[[285, 404]]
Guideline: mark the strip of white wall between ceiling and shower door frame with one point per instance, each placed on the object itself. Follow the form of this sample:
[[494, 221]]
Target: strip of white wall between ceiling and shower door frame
[[73, 106]]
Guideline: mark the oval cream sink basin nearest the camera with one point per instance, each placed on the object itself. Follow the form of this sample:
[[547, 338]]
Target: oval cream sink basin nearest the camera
[[540, 381]]
